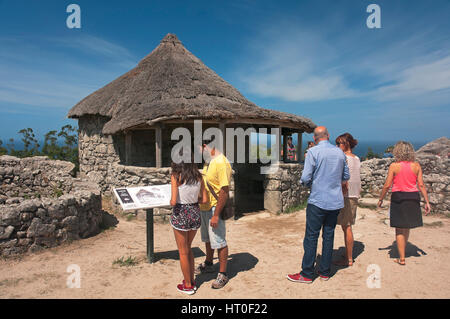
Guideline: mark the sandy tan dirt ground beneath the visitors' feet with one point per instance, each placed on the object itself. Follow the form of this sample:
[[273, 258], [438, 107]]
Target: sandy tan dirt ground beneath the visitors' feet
[[263, 248]]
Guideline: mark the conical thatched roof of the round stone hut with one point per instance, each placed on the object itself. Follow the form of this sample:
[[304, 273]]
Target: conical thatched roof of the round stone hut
[[171, 83]]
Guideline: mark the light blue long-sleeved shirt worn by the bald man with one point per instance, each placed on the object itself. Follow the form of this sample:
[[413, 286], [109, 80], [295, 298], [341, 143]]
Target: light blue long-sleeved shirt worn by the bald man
[[325, 170]]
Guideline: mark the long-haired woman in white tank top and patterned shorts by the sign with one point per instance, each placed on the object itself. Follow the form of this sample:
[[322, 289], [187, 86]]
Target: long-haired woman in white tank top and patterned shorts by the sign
[[187, 190]]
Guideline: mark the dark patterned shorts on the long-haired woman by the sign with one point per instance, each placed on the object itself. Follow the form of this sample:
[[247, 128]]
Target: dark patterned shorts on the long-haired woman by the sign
[[186, 217]]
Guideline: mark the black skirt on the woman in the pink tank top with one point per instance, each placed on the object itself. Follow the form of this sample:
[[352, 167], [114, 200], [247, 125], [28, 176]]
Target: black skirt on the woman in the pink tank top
[[405, 210]]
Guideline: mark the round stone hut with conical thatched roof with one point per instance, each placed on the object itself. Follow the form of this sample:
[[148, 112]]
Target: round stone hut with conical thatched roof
[[125, 127]]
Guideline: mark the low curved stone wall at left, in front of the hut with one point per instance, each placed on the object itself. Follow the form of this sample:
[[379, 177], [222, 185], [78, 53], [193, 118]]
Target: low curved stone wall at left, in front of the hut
[[42, 205]]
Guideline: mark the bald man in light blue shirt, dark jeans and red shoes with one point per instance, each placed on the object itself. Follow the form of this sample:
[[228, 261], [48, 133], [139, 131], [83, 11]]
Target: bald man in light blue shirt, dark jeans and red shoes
[[325, 171]]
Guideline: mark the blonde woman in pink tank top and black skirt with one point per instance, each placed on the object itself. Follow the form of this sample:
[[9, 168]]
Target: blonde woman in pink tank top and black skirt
[[406, 178]]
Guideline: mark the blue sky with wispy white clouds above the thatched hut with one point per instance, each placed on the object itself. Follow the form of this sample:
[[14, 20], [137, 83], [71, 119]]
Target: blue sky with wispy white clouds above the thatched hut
[[313, 58]]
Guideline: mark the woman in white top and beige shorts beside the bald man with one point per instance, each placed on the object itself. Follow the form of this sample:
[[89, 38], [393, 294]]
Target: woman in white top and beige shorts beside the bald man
[[351, 190]]
